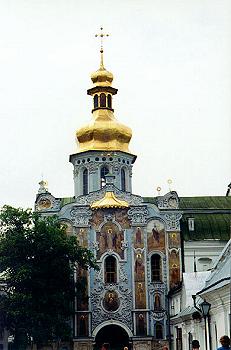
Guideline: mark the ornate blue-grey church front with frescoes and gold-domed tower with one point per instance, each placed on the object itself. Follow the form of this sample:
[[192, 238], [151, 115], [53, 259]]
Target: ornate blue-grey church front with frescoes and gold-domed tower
[[137, 244]]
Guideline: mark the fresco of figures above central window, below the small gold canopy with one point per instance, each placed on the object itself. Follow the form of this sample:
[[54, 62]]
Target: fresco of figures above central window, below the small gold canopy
[[110, 238]]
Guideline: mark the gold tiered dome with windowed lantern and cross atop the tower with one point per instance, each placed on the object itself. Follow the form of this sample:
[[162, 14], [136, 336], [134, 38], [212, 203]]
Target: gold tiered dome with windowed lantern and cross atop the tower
[[104, 132]]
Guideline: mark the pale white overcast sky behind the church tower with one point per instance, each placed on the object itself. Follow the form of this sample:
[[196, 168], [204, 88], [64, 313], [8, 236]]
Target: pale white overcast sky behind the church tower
[[171, 64]]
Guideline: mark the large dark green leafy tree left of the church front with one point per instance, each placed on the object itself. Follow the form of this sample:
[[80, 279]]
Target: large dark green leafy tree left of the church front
[[38, 261]]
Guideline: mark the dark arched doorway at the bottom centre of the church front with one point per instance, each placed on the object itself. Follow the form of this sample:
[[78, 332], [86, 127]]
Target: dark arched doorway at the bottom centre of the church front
[[116, 336]]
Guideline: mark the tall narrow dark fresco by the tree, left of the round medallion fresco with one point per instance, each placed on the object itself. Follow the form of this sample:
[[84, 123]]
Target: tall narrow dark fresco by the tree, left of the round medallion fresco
[[82, 290]]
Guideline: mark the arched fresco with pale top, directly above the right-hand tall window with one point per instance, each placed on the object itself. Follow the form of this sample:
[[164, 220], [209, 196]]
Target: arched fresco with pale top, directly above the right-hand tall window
[[156, 235]]
